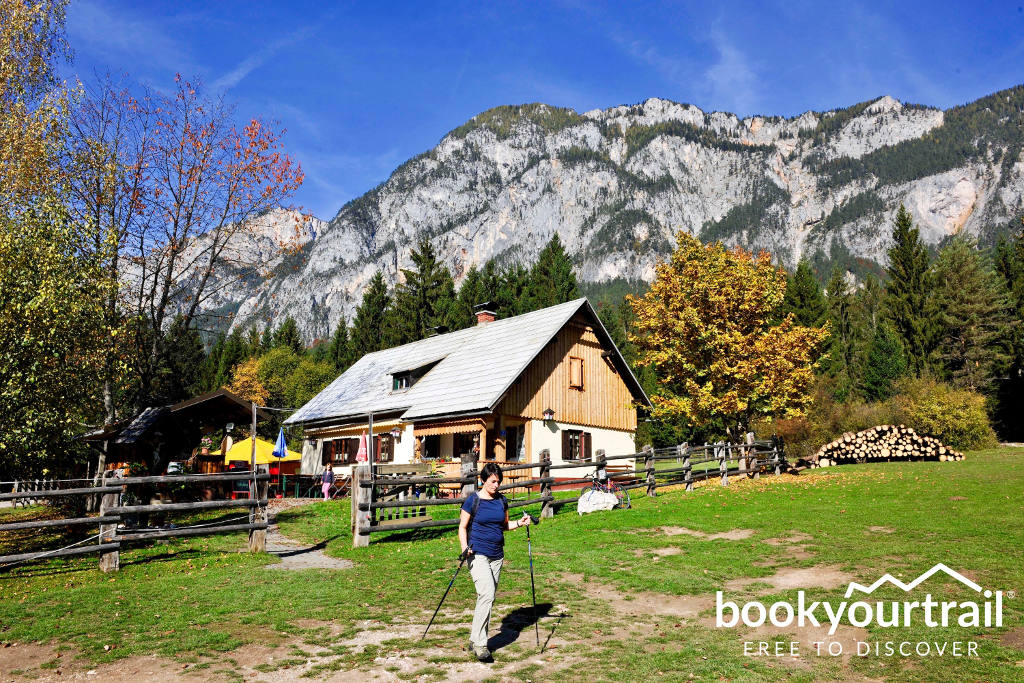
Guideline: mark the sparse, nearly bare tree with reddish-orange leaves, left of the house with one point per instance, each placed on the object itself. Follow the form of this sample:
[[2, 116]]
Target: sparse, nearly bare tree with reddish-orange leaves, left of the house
[[208, 182]]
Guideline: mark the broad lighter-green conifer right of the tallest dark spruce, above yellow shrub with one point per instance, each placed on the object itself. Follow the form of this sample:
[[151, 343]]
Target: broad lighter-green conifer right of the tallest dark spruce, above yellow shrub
[[973, 318]]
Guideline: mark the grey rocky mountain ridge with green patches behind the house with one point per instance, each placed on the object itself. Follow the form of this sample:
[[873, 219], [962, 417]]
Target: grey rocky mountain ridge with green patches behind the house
[[617, 184]]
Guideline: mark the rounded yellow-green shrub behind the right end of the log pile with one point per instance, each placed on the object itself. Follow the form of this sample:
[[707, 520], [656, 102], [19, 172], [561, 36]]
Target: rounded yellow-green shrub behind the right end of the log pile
[[957, 417]]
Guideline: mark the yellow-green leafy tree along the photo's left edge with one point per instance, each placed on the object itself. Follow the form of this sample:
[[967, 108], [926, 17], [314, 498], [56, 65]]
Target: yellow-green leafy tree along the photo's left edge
[[50, 286]]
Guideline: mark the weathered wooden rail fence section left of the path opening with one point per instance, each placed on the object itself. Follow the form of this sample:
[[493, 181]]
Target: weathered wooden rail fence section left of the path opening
[[115, 523]]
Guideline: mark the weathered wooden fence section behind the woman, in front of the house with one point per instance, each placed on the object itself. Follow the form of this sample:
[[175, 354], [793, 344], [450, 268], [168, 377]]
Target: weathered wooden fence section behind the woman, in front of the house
[[378, 497]]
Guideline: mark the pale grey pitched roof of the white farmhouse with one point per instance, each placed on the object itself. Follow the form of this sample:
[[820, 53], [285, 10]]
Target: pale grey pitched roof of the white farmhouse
[[501, 350]]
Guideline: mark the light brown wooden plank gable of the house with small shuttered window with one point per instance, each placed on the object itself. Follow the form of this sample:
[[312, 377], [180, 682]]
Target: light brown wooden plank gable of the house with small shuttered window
[[572, 378]]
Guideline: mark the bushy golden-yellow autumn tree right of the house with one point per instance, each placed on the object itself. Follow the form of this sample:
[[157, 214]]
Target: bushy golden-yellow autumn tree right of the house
[[706, 327]]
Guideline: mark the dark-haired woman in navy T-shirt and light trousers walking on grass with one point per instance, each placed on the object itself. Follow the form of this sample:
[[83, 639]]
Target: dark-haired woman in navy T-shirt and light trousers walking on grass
[[483, 525]]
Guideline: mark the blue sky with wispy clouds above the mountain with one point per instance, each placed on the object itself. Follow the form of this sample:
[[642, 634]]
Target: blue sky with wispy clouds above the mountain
[[361, 88]]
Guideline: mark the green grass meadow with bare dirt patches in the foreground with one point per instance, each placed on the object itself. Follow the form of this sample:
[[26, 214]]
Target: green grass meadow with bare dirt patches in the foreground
[[628, 594]]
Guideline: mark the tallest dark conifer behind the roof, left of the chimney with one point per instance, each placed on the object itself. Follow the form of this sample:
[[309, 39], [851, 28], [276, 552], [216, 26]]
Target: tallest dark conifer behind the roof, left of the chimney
[[422, 302]]
